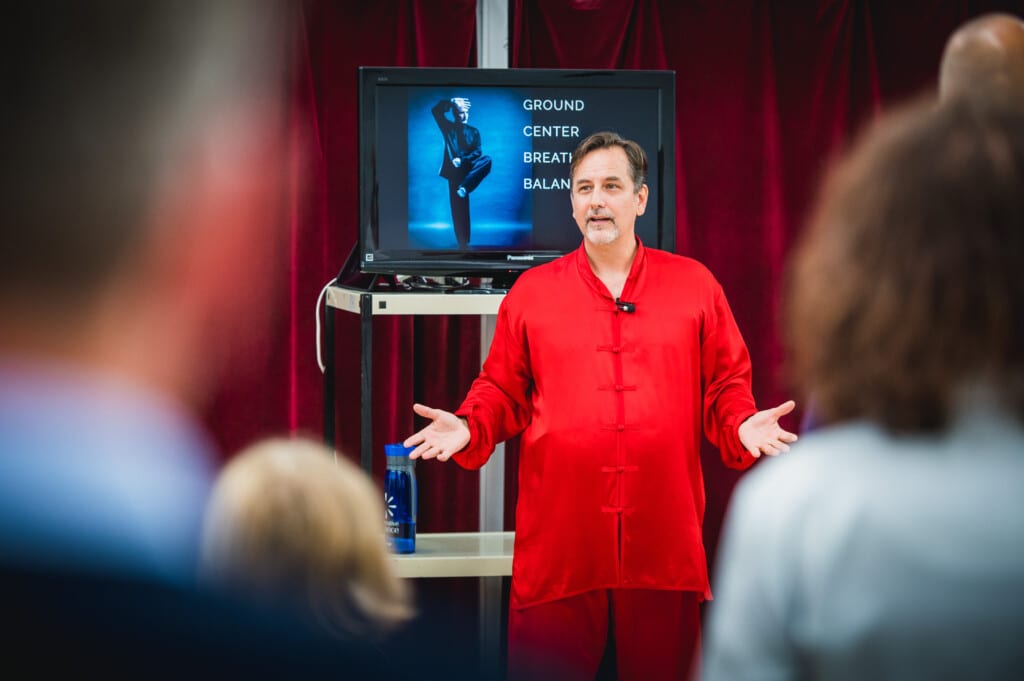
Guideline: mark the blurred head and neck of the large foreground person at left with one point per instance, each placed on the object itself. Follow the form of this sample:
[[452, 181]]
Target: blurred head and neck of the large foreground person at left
[[142, 185]]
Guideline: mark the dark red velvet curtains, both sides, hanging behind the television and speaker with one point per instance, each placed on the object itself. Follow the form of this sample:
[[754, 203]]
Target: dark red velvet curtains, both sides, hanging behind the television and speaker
[[766, 94]]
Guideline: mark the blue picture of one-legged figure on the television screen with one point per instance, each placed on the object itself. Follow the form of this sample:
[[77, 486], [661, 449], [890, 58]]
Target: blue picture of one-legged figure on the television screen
[[466, 169]]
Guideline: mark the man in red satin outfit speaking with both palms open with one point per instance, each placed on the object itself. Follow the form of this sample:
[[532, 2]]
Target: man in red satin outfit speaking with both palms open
[[612, 362]]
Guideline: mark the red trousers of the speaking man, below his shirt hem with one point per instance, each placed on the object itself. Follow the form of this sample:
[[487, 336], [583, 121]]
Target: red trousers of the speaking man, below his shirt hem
[[657, 635]]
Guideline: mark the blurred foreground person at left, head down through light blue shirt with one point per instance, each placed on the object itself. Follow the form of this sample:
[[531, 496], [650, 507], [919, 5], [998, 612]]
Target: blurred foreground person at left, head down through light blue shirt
[[142, 148]]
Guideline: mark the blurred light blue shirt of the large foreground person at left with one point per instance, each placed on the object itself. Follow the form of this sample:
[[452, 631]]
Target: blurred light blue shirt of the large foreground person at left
[[97, 474]]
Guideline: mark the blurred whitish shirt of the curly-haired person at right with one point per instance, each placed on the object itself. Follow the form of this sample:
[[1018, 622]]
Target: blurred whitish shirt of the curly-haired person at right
[[860, 556]]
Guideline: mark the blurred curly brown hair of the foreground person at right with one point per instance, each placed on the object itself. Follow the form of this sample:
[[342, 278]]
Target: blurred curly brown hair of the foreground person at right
[[908, 288]]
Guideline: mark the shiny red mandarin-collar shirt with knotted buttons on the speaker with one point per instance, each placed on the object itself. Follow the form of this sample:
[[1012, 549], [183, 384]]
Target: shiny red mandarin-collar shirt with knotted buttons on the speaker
[[611, 406]]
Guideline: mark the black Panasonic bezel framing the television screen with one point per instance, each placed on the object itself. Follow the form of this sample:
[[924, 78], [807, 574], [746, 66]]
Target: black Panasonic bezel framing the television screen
[[481, 263]]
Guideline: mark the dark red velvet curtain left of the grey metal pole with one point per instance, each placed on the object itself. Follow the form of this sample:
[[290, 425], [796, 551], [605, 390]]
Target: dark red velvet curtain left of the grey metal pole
[[432, 360]]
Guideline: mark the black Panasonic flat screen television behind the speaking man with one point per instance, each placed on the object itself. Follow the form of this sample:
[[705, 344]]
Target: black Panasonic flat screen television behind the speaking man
[[464, 173]]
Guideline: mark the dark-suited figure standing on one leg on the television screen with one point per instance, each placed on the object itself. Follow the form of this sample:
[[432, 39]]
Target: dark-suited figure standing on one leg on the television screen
[[463, 165]]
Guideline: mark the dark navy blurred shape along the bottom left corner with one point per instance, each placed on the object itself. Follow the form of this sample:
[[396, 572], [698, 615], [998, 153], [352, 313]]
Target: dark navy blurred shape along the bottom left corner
[[73, 621]]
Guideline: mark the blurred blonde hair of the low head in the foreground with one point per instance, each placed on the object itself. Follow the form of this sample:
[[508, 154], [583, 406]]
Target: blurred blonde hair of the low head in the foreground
[[290, 523]]
